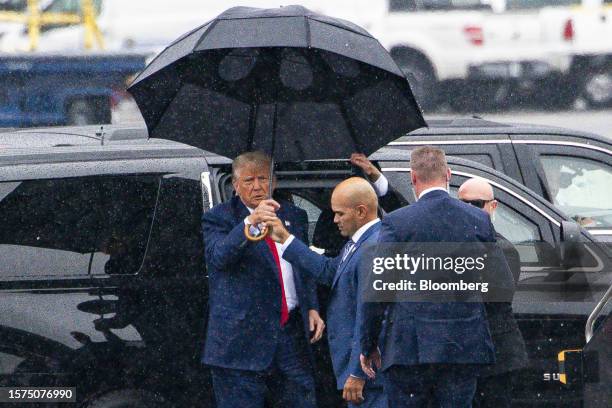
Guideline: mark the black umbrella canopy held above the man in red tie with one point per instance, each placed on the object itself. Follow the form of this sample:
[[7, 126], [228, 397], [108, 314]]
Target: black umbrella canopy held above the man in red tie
[[288, 81]]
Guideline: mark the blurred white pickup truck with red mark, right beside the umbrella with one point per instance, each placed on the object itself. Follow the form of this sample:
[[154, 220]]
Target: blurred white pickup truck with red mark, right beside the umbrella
[[462, 52]]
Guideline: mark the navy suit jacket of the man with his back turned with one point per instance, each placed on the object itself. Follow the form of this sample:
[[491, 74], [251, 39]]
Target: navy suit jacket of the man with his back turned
[[432, 333]]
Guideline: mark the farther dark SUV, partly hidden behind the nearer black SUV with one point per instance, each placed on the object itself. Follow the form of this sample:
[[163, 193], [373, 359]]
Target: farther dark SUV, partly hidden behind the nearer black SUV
[[571, 169]]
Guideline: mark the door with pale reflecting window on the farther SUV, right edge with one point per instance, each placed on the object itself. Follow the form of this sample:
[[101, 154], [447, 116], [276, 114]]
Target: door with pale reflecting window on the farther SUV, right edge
[[576, 179]]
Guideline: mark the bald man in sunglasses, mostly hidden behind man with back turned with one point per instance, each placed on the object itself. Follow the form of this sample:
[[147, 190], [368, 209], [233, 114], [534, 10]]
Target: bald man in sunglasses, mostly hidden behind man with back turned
[[494, 387]]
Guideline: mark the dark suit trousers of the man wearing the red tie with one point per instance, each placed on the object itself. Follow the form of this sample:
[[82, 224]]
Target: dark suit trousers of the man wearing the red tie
[[288, 381]]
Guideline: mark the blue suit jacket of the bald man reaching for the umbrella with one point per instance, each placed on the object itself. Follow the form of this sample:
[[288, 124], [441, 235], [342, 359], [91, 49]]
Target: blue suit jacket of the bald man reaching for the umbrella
[[345, 307]]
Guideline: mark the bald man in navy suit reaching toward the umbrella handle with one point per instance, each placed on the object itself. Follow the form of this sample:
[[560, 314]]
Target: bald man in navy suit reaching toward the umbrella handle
[[355, 208]]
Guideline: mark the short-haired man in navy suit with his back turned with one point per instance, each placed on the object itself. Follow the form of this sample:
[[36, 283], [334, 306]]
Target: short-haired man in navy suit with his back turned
[[431, 351]]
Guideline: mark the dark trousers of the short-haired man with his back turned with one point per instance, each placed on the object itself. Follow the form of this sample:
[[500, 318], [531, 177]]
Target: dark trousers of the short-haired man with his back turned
[[431, 385]]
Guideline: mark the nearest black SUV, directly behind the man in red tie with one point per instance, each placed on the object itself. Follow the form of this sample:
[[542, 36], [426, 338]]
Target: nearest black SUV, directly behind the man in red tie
[[103, 284]]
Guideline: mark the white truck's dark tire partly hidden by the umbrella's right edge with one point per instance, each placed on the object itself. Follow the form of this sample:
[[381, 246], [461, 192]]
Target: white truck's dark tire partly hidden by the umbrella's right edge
[[421, 78]]
